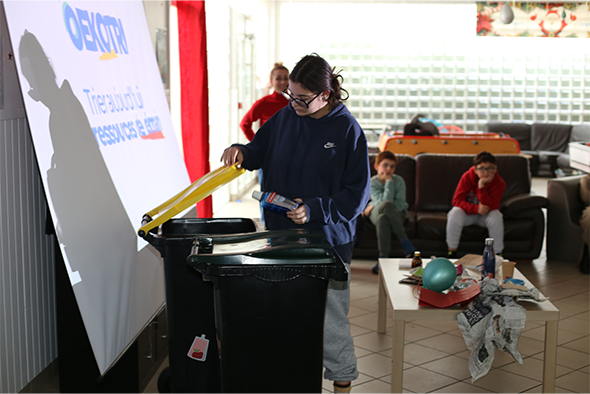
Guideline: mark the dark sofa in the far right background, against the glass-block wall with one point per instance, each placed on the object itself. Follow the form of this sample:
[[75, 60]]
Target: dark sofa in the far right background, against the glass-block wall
[[547, 144]]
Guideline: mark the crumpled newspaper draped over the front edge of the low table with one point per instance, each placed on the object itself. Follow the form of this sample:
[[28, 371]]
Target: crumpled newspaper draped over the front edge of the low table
[[493, 321]]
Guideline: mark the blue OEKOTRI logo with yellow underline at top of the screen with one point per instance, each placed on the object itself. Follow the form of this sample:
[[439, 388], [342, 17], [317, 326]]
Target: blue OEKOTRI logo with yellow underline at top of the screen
[[95, 32]]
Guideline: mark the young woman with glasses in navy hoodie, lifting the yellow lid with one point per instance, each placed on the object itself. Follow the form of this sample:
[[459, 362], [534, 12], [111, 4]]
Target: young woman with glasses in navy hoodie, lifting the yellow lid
[[315, 152]]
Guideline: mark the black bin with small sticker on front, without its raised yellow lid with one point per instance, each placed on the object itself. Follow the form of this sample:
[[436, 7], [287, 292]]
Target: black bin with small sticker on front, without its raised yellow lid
[[190, 306]]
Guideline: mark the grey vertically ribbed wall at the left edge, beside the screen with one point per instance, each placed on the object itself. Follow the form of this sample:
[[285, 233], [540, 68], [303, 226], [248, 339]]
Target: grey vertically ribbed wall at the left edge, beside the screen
[[28, 332]]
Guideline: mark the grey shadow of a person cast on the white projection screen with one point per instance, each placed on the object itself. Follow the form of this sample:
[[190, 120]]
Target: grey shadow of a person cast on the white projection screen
[[92, 226]]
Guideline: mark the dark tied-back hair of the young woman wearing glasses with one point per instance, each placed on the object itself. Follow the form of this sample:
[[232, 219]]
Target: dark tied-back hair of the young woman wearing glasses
[[315, 74]]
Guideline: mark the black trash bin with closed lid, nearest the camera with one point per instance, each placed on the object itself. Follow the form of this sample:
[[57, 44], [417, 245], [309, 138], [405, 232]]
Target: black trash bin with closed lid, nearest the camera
[[270, 299]]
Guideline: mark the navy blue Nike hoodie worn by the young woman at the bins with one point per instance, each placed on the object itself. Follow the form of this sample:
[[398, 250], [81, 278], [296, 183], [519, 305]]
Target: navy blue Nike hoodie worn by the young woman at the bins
[[322, 161]]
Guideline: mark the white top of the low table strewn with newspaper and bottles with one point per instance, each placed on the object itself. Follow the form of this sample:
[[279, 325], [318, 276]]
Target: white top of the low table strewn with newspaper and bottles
[[405, 302]]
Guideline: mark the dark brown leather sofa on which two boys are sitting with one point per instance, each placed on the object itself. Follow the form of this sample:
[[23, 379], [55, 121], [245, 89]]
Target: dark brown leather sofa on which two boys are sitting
[[431, 180]]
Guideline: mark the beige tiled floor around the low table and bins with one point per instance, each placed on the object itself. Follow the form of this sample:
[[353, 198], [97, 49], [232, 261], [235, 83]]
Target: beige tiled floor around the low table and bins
[[436, 357]]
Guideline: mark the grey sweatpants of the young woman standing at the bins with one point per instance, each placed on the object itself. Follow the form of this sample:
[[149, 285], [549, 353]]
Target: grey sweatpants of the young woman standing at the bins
[[339, 357]]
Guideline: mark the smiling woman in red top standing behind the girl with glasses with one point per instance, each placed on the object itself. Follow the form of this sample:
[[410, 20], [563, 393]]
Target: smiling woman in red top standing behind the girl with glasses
[[267, 106]]
